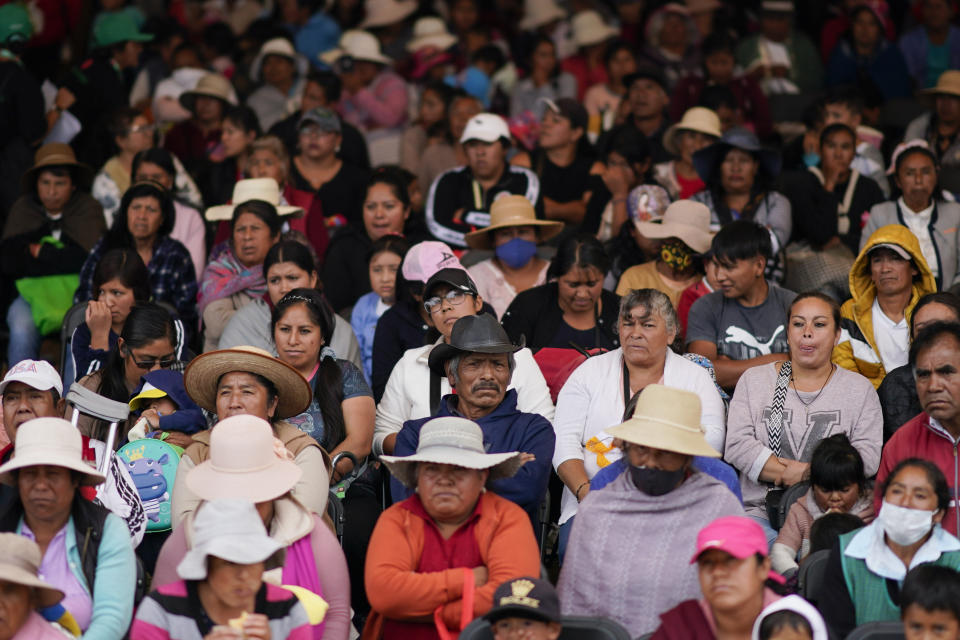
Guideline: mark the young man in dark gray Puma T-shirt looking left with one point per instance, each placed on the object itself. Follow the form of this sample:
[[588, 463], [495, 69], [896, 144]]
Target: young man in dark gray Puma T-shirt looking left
[[743, 324]]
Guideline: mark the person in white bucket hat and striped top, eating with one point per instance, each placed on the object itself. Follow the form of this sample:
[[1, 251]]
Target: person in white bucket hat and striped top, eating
[[222, 583]]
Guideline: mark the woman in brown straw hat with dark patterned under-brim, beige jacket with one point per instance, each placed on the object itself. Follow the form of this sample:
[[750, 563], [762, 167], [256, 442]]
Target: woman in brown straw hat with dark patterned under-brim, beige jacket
[[249, 381]]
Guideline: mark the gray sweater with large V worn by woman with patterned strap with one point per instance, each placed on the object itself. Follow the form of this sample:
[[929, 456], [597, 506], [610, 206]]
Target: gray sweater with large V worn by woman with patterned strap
[[847, 404]]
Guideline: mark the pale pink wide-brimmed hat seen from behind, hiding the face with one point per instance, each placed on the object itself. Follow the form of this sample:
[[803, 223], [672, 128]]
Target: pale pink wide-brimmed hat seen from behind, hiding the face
[[243, 463]]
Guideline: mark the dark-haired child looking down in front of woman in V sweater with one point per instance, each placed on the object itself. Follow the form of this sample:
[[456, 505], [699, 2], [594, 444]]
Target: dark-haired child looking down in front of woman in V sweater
[[838, 486]]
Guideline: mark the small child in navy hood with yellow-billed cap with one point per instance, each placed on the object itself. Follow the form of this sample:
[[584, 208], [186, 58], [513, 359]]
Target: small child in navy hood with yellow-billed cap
[[163, 406]]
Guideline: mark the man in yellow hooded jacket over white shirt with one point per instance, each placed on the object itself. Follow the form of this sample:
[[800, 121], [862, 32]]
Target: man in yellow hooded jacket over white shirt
[[888, 278]]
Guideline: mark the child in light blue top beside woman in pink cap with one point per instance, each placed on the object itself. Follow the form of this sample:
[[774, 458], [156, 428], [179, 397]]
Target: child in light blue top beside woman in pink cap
[[384, 262]]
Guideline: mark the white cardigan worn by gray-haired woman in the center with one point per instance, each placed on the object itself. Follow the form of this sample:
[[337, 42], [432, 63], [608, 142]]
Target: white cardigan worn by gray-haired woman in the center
[[592, 400]]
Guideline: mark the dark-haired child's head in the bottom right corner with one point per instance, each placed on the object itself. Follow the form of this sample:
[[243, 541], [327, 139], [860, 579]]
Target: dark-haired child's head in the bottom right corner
[[930, 603]]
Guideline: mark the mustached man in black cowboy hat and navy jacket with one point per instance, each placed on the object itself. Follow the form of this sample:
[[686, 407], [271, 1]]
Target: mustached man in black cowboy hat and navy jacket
[[478, 362]]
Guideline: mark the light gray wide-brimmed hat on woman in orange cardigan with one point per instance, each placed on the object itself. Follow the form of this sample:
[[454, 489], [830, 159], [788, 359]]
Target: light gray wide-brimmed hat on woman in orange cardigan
[[456, 441]]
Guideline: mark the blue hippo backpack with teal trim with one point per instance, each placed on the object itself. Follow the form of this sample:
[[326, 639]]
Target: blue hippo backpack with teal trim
[[153, 466]]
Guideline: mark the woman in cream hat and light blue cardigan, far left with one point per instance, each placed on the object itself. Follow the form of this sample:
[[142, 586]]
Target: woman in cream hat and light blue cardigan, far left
[[46, 471]]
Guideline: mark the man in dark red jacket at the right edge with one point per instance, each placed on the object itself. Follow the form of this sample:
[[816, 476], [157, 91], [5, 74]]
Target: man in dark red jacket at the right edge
[[933, 435]]
